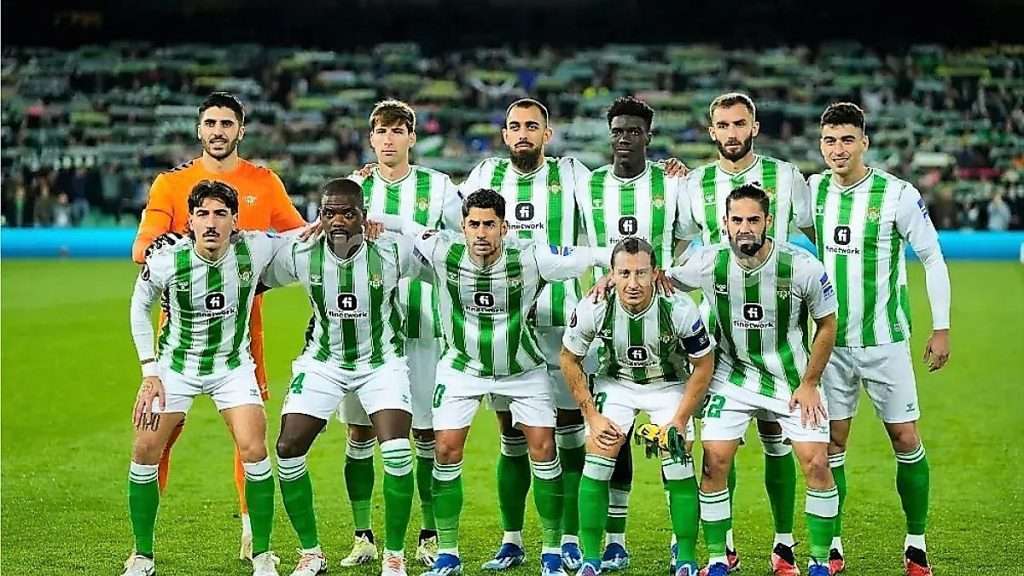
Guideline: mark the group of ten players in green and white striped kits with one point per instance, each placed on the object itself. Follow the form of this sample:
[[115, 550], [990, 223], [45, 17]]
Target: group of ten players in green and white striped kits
[[404, 268]]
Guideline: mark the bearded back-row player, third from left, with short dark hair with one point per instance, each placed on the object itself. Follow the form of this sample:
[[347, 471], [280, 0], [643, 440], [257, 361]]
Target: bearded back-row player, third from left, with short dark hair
[[541, 195]]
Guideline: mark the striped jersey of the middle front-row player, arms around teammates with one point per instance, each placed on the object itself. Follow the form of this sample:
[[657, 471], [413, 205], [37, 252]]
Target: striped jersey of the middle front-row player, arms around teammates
[[485, 310]]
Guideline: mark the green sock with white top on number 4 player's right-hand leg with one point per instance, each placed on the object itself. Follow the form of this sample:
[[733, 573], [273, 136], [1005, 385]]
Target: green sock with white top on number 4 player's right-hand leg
[[399, 487]]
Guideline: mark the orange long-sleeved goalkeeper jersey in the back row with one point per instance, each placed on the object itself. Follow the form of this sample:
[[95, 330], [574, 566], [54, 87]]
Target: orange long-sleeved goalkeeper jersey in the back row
[[264, 204]]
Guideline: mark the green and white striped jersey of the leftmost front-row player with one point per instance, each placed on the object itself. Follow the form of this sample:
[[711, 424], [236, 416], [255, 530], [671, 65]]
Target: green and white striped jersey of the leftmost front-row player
[[207, 304]]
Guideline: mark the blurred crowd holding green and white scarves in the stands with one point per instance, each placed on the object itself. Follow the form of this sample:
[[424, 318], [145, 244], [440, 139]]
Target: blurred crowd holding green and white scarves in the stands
[[86, 132]]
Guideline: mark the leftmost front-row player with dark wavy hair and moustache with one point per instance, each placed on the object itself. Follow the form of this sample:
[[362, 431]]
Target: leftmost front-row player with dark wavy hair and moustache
[[208, 284]]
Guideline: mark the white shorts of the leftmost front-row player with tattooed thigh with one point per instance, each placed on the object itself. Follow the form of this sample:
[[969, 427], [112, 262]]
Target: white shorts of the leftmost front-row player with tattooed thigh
[[229, 390]]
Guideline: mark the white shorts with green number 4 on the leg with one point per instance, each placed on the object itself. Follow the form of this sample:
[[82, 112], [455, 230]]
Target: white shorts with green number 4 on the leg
[[318, 390]]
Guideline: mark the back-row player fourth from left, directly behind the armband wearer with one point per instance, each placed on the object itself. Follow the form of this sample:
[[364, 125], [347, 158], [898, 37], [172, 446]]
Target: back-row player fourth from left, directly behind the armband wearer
[[631, 197]]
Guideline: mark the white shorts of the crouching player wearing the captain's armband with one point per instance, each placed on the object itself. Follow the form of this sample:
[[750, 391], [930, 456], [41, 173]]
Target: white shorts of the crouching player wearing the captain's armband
[[621, 402]]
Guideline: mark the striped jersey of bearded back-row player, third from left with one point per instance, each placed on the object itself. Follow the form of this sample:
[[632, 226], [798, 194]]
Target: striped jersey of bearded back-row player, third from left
[[541, 207]]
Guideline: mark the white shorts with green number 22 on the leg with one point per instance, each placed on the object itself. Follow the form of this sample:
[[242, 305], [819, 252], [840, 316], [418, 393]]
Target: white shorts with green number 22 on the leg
[[730, 409]]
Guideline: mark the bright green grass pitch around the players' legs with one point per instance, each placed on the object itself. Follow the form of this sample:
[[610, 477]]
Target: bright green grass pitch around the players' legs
[[70, 379]]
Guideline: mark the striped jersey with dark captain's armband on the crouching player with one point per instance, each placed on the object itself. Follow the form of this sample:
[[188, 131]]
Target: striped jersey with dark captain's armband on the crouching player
[[649, 348]]
